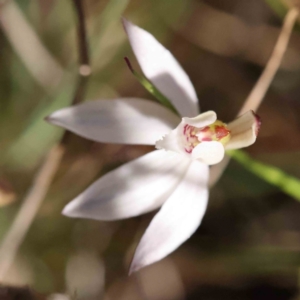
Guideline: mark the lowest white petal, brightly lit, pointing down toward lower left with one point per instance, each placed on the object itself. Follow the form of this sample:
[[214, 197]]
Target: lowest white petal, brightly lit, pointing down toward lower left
[[177, 220]]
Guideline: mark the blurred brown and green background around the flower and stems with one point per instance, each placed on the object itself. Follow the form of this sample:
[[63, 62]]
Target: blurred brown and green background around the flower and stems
[[248, 244]]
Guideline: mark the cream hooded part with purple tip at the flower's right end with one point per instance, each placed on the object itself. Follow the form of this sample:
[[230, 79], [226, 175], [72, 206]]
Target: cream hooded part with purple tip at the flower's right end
[[244, 131]]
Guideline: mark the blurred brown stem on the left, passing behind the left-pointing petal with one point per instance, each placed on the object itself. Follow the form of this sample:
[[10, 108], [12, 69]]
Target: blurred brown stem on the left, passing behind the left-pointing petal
[[32, 202]]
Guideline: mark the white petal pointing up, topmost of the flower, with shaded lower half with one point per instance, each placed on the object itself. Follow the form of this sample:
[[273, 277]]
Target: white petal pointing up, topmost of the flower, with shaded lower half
[[163, 70]]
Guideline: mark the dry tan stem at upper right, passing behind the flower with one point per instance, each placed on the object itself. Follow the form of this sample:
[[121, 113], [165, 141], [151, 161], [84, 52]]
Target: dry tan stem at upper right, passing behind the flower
[[258, 92]]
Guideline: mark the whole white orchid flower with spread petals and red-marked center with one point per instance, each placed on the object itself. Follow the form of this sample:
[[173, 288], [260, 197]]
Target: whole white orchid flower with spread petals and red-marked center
[[175, 176]]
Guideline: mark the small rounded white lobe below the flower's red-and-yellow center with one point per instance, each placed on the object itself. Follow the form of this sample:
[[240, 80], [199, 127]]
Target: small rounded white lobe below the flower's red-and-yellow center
[[209, 152]]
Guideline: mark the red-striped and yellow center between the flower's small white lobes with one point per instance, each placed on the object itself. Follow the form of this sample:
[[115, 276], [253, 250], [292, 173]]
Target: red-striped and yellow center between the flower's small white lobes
[[193, 136]]
